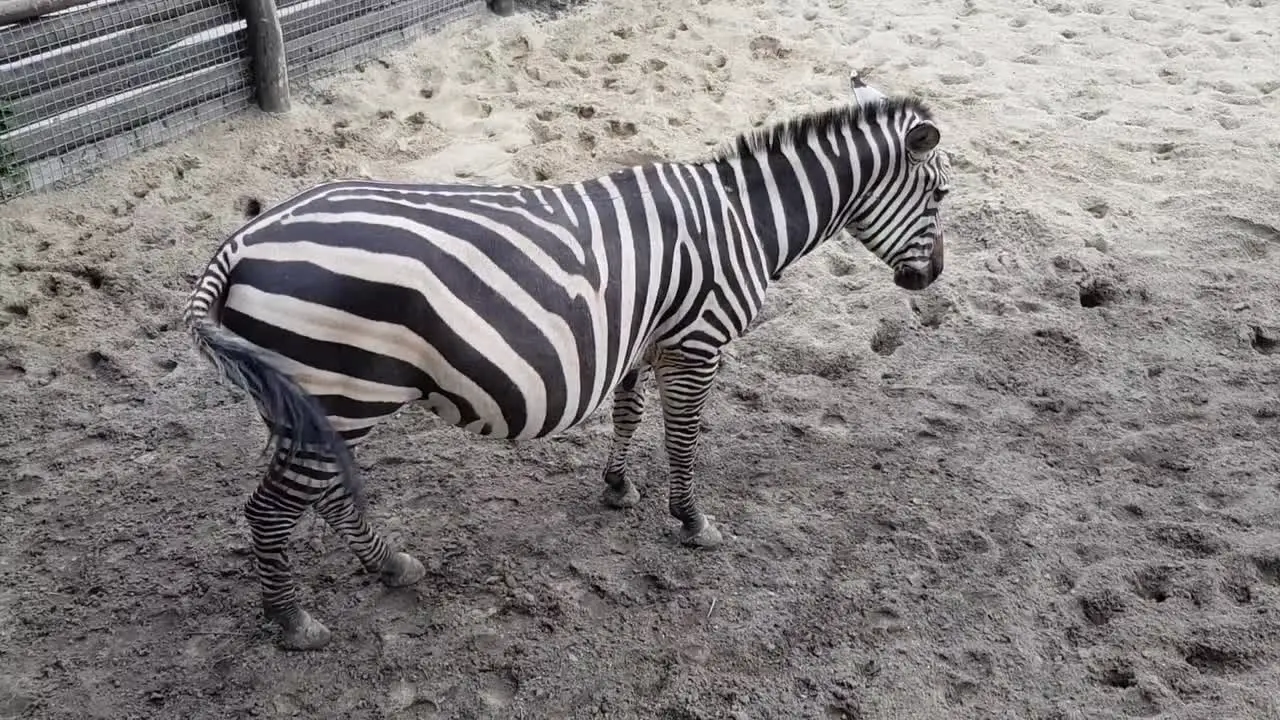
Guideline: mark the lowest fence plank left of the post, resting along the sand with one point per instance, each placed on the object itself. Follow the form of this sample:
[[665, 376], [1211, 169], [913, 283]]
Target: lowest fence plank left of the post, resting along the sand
[[76, 166]]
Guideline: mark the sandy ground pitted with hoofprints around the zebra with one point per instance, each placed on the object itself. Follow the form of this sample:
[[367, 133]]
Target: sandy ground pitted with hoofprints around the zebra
[[1046, 489]]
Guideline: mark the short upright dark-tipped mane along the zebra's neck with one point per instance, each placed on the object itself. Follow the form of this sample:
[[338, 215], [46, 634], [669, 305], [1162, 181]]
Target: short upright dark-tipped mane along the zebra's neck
[[787, 134]]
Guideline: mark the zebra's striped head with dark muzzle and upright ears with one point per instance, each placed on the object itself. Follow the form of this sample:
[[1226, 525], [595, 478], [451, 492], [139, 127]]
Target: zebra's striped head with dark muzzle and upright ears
[[898, 218]]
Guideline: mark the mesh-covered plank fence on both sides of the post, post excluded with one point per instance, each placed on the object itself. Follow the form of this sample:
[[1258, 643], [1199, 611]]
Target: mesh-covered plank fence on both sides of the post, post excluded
[[90, 85]]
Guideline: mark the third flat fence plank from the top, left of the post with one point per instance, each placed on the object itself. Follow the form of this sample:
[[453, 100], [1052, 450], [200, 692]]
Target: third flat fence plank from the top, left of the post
[[157, 69]]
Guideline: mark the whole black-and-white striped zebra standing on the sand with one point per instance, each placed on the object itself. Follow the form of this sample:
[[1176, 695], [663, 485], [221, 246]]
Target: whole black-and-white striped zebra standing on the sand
[[516, 311]]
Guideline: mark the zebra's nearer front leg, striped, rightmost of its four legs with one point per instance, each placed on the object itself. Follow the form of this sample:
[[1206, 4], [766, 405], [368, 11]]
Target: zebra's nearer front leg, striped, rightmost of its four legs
[[685, 381]]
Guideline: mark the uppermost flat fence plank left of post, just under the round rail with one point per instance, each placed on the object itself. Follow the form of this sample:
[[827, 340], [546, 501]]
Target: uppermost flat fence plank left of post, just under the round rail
[[48, 34]]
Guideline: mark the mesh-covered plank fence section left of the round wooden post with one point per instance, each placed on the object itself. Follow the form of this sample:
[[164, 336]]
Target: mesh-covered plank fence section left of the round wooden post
[[94, 84]]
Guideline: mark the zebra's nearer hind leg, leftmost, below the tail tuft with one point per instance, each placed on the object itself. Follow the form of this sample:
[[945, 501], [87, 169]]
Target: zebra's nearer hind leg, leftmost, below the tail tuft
[[273, 511]]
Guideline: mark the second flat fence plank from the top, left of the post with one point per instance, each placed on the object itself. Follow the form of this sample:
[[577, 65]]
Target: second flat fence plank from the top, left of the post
[[135, 44]]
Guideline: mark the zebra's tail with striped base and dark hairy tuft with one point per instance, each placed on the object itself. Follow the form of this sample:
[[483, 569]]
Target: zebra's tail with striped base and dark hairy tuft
[[291, 413]]
